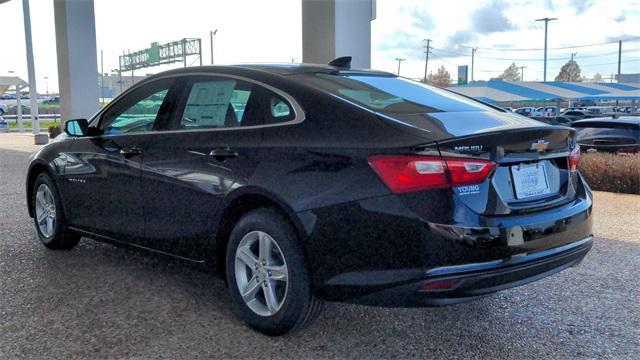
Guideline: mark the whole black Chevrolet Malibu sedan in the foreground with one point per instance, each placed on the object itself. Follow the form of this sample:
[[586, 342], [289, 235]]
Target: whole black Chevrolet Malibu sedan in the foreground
[[309, 183]]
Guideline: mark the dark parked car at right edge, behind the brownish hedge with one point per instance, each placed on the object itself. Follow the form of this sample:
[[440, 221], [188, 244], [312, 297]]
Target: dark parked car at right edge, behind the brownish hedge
[[617, 135]]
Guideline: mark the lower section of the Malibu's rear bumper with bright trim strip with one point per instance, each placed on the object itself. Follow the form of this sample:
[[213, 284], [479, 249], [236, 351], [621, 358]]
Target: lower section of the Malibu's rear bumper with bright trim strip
[[471, 281]]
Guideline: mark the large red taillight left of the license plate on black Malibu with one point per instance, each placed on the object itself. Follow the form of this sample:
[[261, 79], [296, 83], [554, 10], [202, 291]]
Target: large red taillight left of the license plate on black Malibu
[[404, 173]]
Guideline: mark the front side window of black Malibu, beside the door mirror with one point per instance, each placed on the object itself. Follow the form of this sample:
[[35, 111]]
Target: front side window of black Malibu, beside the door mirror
[[138, 111]]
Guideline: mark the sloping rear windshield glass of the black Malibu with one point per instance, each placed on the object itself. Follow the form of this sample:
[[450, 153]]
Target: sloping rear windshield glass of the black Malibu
[[395, 95]]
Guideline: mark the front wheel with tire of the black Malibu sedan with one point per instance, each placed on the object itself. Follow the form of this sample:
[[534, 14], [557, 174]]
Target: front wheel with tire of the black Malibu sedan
[[48, 215]]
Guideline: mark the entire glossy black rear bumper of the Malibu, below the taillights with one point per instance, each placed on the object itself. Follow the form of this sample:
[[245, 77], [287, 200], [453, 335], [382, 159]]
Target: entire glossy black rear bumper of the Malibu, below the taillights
[[383, 257]]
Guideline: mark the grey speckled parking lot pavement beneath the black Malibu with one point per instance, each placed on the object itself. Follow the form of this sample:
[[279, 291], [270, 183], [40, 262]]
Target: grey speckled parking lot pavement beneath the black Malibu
[[99, 301]]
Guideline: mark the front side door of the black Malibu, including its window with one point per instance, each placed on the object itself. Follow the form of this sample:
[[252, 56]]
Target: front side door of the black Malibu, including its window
[[103, 171]]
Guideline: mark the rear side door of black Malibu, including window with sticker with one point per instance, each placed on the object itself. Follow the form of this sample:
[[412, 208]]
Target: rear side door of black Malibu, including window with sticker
[[214, 148]]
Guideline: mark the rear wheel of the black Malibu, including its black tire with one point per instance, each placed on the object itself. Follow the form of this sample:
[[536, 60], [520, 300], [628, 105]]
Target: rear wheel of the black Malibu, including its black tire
[[292, 308]]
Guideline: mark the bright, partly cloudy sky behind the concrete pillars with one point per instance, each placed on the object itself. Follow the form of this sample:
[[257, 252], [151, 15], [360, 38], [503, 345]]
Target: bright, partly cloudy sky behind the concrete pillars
[[271, 31]]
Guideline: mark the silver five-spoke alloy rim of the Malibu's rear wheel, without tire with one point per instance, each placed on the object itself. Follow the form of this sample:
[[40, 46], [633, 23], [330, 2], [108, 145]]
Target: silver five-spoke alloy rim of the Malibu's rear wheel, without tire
[[261, 273]]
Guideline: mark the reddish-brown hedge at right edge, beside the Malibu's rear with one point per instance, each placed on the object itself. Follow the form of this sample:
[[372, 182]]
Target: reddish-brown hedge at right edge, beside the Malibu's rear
[[609, 172]]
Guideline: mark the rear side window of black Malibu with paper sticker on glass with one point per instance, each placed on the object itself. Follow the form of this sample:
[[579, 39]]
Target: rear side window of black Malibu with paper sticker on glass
[[219, 102]]
